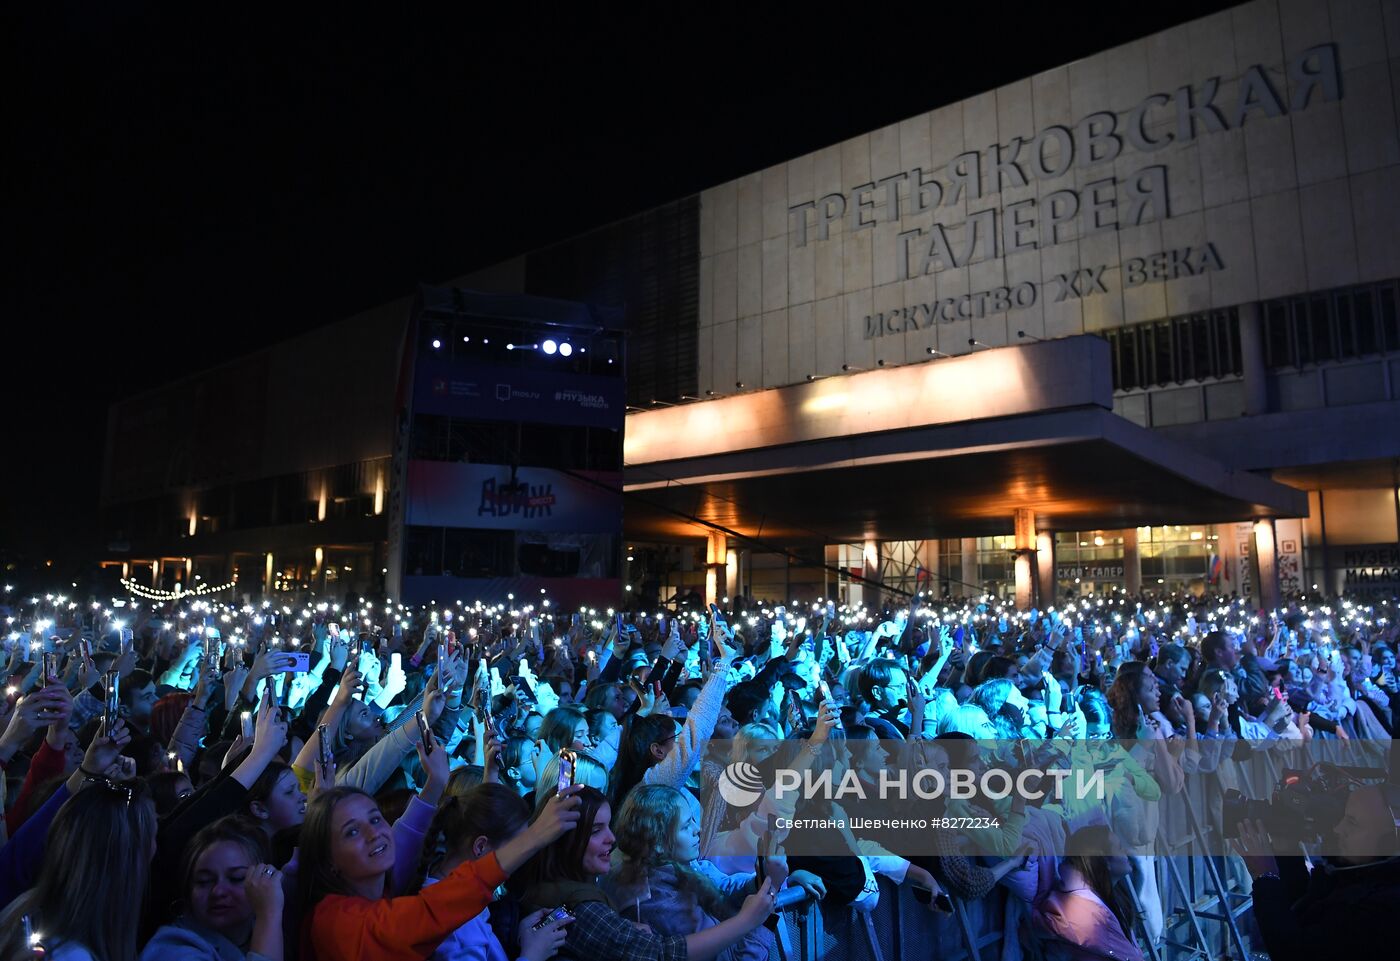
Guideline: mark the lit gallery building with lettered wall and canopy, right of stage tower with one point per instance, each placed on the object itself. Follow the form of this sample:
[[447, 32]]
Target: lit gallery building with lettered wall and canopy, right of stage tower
[[1129, 323]]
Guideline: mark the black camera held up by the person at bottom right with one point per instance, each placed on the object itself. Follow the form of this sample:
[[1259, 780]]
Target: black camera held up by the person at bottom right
[[1307, 805]]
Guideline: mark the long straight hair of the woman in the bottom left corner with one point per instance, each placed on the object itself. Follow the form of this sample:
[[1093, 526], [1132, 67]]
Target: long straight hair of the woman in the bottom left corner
[[97, 865]]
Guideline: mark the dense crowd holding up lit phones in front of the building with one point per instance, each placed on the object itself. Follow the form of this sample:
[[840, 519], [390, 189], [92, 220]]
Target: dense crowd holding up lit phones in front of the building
[[197, 778]]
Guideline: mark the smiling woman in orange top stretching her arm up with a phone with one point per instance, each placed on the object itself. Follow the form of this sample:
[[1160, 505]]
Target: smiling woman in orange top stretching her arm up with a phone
[[346, 858]]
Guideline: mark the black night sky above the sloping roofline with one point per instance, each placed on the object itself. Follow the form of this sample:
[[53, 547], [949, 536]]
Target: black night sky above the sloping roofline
[[181, 191]]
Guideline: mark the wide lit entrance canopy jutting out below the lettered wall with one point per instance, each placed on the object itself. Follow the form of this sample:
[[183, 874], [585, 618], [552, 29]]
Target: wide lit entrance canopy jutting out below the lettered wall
[[944, 449]]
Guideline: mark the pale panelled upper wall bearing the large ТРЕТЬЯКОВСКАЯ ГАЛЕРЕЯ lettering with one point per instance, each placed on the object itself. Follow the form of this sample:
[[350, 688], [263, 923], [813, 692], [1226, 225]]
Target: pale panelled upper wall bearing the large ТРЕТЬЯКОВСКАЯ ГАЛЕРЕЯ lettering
[[1303, 201]]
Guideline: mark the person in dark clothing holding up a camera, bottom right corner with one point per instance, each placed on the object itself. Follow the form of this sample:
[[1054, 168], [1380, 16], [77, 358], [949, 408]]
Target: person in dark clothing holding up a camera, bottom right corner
[[1333, 908]]
